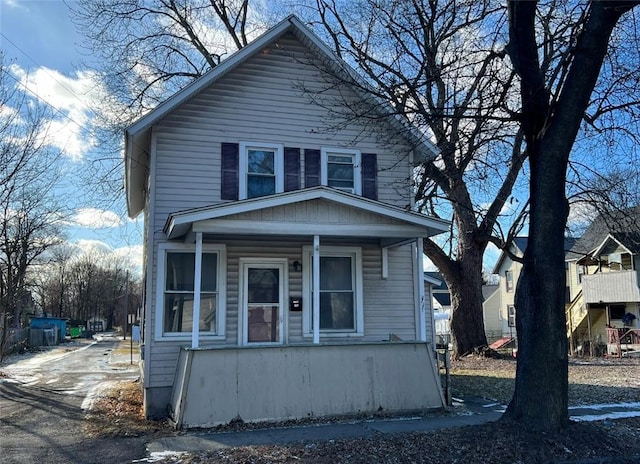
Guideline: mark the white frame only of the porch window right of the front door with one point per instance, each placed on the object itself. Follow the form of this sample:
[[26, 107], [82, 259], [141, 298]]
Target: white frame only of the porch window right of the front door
[[307, 300]]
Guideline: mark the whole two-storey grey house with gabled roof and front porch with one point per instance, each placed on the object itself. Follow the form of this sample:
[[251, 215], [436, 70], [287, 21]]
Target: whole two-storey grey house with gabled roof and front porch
[[255, 192]]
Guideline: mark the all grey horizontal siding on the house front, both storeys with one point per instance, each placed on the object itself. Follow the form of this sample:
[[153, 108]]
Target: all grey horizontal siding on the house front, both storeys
[[262, 101]]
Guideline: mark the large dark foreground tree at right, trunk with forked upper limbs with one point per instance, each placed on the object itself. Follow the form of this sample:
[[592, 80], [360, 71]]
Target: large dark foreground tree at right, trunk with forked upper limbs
[[551, 117]]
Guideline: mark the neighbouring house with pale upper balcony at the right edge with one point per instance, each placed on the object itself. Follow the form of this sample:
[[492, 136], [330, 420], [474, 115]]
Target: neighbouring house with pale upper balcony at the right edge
[[604, 281]]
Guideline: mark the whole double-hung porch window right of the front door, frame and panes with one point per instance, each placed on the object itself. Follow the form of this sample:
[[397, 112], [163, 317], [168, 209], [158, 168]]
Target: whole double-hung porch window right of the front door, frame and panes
[[340, 291]]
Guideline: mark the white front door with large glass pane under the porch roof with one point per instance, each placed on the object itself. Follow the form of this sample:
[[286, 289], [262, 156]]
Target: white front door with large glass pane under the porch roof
[[263, 287]]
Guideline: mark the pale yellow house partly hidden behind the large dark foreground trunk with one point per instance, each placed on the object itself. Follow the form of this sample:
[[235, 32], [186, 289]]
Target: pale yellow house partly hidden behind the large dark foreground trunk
[[499, 308]]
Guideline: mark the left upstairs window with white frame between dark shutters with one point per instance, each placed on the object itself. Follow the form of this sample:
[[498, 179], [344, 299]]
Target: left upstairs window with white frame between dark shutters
[[261, 169]]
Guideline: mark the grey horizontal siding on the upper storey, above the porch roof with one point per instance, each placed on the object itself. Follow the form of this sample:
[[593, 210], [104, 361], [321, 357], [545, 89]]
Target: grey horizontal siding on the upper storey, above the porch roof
[[261, 101]]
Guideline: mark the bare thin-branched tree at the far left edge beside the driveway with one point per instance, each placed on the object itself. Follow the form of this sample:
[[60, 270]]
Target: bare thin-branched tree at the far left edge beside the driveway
[[30, 217]]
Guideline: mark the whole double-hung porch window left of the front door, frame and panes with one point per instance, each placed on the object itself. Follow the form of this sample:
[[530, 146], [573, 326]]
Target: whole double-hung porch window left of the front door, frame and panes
[[176, 291]]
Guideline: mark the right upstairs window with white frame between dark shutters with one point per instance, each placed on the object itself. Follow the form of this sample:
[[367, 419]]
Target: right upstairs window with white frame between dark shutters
[[341, 169]]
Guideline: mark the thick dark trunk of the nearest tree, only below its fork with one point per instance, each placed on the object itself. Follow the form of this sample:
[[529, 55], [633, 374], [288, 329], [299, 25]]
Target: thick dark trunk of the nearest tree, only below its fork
[[541, 393]]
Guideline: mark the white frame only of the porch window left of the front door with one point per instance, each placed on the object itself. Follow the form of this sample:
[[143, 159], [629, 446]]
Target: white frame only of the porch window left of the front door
[[221, 286]]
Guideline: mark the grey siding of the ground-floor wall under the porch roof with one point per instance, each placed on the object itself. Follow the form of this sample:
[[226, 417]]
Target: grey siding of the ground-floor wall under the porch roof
[[388, 303]]
